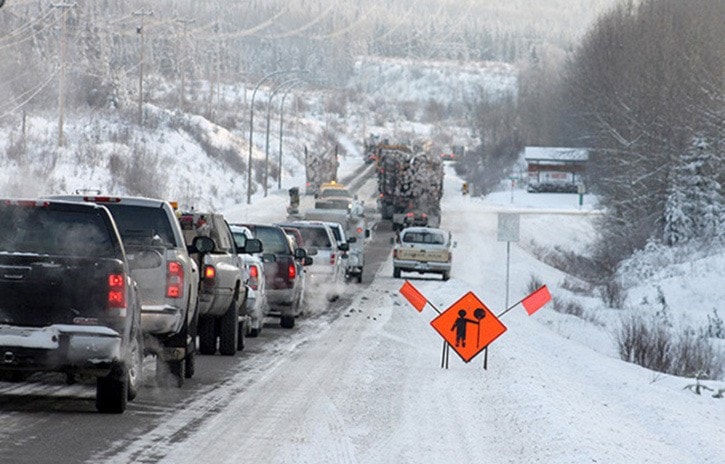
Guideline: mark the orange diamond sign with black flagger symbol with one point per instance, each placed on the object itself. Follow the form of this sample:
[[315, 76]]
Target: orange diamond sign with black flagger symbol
[[468, 326]]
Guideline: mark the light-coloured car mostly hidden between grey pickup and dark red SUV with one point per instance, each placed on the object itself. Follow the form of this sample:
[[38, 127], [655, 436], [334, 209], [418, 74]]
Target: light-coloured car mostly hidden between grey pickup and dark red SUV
[[256, 306]]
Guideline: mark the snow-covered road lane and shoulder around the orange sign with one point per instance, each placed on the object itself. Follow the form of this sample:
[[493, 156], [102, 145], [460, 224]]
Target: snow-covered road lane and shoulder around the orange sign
[[368, 388]]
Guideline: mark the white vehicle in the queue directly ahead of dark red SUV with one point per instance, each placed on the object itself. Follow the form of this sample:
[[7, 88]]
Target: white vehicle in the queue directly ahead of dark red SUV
[[328, 267]]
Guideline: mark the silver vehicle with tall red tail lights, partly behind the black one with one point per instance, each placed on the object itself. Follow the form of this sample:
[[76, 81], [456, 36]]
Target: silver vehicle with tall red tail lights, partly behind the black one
[[168, 278]]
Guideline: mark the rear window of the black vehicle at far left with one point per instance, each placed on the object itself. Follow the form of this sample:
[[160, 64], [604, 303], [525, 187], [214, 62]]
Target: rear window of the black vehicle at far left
[[52, 232]]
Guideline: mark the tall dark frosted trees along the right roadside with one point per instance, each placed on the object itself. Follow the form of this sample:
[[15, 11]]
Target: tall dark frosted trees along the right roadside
[[644, 92]]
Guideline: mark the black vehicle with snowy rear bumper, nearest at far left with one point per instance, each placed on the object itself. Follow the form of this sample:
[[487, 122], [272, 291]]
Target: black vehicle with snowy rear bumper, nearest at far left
[[67, 301]]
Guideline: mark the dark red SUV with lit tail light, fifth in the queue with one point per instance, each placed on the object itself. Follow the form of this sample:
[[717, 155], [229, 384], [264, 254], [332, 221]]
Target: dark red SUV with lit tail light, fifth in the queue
[[281, 272]]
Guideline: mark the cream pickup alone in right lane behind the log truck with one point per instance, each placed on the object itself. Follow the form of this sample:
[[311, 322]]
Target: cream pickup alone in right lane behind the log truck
[[423, 250]]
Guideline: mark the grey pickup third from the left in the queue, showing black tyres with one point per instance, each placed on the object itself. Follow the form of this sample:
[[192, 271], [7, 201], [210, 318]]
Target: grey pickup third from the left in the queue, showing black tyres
[[222, 291]]
